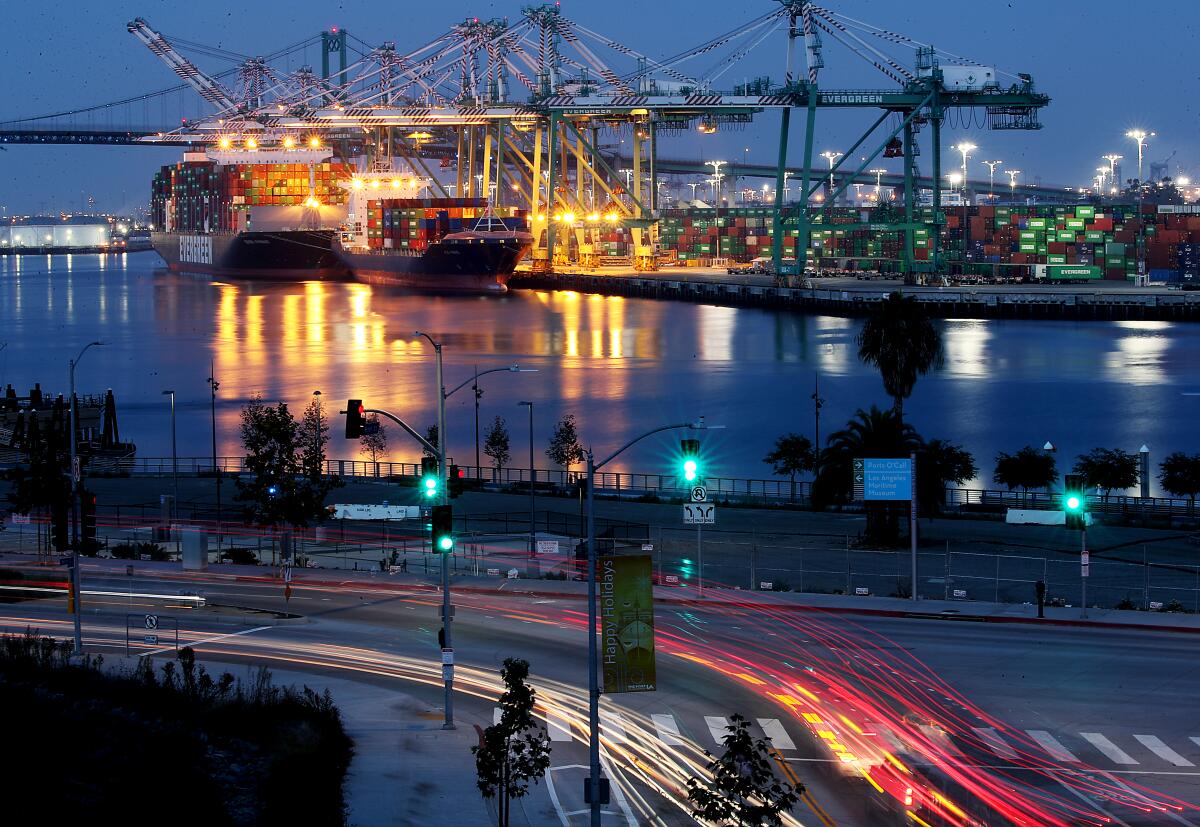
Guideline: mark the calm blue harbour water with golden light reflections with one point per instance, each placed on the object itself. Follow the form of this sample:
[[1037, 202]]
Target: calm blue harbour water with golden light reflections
[[621, 365]]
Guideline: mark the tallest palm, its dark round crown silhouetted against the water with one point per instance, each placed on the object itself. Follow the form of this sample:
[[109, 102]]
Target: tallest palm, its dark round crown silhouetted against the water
[[903, 344]]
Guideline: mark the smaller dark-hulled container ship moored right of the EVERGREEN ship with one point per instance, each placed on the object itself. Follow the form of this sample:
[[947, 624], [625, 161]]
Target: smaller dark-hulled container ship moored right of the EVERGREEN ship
[[443, 245]]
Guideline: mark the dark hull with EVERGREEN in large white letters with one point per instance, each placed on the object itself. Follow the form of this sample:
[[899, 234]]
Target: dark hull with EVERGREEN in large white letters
[[302, 255]]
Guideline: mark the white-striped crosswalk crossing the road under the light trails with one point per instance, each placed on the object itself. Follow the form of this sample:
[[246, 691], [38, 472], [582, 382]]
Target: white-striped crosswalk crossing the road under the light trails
[[1125, 752]]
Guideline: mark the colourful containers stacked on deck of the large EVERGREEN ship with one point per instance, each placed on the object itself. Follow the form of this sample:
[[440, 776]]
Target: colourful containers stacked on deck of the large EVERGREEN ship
[[206, 197]]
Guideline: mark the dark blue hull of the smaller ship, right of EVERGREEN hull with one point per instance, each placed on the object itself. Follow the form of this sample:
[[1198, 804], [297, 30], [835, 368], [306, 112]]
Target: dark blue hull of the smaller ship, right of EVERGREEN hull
[[445, 267]]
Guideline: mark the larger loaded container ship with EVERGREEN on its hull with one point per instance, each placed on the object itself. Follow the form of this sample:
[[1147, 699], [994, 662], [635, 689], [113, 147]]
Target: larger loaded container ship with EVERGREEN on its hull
[[251, 214]]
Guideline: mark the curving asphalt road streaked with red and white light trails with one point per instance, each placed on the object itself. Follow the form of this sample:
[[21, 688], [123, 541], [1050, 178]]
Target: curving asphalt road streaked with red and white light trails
[[1027, 724]]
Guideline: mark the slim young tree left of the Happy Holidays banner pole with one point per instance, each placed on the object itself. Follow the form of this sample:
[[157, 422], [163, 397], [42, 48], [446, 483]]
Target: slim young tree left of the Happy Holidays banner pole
[[515, 751]]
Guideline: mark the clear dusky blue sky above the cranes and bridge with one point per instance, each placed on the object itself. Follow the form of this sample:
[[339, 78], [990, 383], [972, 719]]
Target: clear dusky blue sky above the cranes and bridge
[[1106, 68]]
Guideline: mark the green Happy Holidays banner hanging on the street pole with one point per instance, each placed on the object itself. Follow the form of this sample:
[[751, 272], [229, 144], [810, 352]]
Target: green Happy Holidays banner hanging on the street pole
[[627, 621]]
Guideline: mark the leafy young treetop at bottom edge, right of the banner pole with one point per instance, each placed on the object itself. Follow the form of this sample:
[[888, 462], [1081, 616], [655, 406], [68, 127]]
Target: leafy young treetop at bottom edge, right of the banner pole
[[743, 789]]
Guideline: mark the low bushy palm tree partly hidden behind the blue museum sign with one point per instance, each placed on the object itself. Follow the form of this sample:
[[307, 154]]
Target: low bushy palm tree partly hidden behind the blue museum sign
[[871, 434]]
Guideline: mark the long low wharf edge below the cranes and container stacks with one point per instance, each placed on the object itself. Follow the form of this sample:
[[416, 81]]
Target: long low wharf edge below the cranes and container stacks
[[853, 297]]
